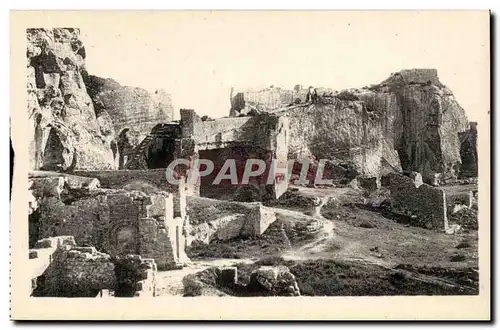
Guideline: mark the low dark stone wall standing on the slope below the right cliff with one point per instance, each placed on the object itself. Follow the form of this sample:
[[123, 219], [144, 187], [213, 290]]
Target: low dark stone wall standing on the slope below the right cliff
[[424, 204]]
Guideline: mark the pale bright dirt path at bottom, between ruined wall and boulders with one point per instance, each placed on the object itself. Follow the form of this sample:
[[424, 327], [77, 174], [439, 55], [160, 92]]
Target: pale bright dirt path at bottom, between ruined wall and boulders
[[169, 283]]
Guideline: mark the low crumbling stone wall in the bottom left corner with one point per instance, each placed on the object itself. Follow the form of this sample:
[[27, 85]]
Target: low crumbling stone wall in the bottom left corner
[[76, 271]]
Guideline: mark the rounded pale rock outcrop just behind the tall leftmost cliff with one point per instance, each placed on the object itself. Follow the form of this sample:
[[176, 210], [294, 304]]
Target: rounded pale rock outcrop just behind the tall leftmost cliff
[[134, 111]]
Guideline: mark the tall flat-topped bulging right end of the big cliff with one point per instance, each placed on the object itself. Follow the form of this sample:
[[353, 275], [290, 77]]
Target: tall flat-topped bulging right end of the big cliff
[[431, 122]]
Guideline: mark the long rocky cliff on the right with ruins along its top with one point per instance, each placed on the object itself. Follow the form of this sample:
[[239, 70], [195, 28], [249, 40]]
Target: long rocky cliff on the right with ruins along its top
[[410, 121]]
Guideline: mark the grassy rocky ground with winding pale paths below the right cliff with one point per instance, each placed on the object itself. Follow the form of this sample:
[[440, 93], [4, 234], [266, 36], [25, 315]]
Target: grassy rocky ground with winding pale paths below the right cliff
[[346, 247]]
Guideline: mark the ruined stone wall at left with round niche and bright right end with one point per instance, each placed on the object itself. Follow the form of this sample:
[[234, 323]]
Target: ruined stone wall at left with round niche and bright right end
[[117, 222]]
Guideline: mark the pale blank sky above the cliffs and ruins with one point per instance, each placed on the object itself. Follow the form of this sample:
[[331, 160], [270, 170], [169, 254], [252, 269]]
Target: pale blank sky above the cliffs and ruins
[[198, 56]]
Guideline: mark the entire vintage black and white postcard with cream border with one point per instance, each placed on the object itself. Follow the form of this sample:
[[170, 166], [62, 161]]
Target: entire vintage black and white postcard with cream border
[[259, 154]]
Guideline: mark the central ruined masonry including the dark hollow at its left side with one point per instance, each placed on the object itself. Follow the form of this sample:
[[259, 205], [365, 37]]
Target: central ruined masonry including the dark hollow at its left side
[[263, 137]]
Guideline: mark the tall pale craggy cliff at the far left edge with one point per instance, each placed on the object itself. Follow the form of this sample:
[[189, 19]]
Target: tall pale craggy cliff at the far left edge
[[65, 131]]
